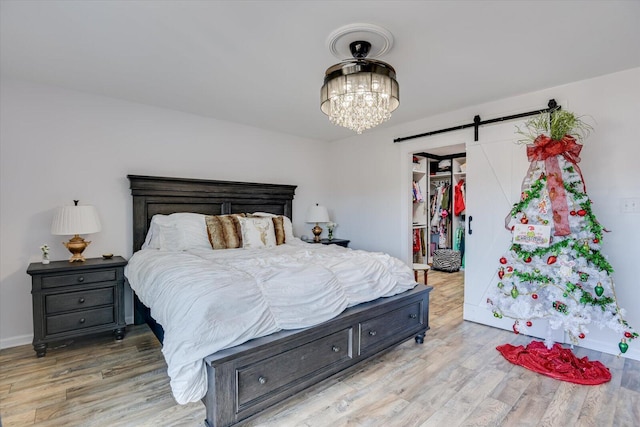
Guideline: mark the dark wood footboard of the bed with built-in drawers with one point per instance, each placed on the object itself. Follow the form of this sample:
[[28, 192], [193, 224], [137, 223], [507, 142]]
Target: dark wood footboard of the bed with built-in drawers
[[244, 380]]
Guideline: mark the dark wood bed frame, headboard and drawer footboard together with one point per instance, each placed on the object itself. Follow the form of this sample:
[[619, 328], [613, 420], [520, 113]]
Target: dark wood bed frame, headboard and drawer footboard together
[[249, 378]]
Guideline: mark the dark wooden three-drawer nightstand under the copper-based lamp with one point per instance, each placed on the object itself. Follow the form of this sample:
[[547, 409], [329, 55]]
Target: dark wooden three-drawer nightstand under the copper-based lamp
[[76, 299]]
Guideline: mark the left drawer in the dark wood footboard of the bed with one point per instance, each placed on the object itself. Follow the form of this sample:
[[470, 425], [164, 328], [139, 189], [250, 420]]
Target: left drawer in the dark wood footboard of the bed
[[261, 379]]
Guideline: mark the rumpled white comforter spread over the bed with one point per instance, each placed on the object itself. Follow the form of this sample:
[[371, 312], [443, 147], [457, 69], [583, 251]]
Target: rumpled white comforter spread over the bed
[[209, 300]]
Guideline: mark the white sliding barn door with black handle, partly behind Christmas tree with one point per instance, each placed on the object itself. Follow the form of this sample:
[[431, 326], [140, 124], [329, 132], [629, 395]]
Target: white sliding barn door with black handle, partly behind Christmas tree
[[496, 166]]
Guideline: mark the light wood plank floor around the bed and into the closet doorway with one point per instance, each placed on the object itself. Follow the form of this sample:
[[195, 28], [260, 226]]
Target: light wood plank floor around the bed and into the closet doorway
[[456, 378]]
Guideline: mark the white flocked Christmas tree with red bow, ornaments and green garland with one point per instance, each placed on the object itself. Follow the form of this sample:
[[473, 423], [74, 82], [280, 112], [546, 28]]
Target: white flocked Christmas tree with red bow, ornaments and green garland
[[554, 268]]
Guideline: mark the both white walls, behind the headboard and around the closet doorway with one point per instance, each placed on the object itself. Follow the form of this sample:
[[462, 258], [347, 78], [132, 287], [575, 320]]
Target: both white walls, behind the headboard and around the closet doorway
[[363, 180]]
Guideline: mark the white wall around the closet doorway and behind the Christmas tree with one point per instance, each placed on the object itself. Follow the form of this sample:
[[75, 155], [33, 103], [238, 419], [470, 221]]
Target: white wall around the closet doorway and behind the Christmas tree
[[371, 195]]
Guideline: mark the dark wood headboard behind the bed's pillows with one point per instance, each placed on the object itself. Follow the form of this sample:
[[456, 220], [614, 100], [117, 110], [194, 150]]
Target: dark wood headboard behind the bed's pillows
[[161, 195]]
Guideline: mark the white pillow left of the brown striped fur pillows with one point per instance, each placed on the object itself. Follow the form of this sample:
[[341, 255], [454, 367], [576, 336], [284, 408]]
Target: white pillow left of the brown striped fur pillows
[[177, 232]]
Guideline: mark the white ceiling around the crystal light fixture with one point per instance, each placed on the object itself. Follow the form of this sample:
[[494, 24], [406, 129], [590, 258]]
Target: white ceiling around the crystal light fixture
[[262, 63]]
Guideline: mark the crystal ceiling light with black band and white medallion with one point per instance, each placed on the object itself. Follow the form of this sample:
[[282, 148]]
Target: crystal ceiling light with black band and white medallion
[[360, 93]]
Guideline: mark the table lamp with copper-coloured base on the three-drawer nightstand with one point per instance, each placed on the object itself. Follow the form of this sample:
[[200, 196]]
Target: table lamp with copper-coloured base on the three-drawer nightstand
[[75, 220]]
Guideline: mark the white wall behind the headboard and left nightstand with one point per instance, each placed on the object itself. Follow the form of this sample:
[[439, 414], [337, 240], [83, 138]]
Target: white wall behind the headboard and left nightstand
[[57, 145]]
